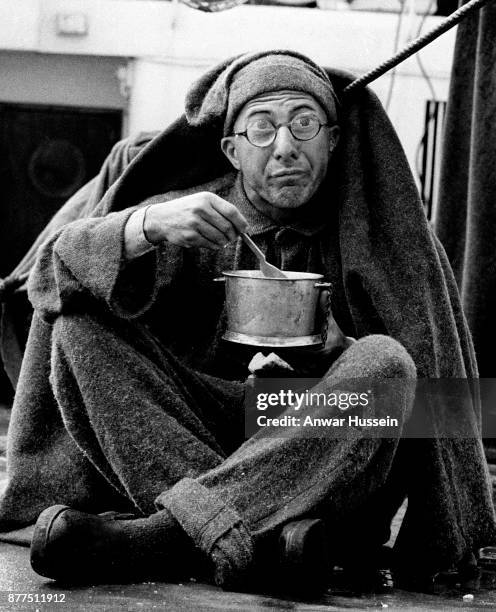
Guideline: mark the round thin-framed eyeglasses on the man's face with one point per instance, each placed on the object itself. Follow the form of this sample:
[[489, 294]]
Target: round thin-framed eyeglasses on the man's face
[[262, 132]]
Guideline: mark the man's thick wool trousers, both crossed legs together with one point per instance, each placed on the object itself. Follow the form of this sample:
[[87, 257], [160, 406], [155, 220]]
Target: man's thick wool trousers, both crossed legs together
[[129, 405]]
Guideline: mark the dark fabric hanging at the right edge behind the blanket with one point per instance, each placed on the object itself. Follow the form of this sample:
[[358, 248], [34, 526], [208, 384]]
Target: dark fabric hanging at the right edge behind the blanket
[[465, 219]]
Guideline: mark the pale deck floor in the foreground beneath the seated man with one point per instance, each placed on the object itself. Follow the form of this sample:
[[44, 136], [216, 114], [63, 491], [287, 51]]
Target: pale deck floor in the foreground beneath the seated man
[[17, 577]]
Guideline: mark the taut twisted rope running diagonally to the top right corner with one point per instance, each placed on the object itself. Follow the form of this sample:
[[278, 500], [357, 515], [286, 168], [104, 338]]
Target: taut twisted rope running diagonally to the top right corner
[[416, 45]]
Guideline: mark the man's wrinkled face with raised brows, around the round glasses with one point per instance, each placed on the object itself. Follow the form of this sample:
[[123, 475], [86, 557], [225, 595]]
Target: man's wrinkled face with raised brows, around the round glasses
[[283, 176]]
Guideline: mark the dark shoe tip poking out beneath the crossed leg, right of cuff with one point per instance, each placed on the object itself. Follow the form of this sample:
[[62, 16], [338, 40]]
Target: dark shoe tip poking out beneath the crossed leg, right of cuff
[[305, 568]]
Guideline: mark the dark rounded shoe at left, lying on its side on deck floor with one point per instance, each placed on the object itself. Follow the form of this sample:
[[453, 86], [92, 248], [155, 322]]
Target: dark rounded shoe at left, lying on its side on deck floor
[[73, 546]]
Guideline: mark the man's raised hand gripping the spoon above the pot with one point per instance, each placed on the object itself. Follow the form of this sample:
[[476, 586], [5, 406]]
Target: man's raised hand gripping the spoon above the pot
[[200, 220]]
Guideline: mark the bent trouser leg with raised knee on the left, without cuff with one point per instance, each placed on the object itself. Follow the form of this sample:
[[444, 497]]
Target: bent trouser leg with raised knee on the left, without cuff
[[143, 419]]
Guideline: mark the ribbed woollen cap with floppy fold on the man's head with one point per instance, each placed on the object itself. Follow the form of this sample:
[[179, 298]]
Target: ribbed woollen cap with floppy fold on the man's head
[[216, 98]]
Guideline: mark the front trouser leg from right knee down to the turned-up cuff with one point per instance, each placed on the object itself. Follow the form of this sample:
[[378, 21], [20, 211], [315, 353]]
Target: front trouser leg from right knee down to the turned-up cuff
[[271, 480]]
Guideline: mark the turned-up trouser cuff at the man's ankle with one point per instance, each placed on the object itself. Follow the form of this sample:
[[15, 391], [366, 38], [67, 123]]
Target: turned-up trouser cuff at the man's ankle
[[215, 528]]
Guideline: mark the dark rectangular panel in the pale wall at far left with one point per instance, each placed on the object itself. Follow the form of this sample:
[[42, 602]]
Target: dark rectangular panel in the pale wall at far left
[[46, 154]]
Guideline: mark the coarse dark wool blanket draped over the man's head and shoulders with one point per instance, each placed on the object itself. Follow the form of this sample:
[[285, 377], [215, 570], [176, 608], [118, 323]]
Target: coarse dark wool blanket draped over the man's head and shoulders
[[395, 278]]
